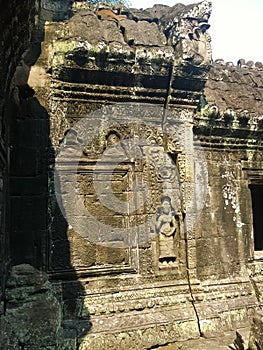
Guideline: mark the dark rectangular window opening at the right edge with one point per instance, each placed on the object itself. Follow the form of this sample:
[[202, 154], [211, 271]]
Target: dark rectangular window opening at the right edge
[[257, 206]]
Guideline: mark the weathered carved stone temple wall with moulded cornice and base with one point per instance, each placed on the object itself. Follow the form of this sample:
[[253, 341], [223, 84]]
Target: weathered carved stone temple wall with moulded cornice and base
[[103, 99]]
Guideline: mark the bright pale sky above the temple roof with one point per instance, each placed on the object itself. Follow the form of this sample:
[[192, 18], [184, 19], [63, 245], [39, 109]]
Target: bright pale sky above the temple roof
[[236, 27]]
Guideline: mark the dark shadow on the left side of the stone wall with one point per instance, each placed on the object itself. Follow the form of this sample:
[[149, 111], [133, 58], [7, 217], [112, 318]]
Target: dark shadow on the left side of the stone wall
[[40, 312]]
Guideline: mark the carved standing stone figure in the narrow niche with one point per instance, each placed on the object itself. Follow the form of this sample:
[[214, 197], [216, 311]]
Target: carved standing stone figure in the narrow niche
[[167, 225]]
